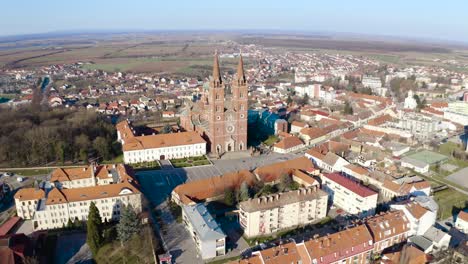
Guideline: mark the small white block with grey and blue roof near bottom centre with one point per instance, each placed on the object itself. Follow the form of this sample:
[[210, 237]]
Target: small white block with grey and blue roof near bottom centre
[[206, 233]]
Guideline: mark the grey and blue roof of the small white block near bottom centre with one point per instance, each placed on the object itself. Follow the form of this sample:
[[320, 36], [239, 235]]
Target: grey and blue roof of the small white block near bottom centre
[[203, 223]]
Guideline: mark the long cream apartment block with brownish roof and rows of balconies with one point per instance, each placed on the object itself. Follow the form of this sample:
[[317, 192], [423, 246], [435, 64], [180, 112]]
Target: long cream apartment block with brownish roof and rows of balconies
[[269, 214]]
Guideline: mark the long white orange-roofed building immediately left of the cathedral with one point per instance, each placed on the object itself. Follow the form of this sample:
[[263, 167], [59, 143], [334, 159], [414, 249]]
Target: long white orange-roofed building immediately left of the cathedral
[[158, 147]]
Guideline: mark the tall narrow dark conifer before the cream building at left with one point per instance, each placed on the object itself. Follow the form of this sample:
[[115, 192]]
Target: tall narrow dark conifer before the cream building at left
[[94, 229]]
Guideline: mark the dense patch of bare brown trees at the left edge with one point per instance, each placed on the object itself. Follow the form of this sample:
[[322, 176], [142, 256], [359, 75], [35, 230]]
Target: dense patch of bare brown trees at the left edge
[[35, 137]]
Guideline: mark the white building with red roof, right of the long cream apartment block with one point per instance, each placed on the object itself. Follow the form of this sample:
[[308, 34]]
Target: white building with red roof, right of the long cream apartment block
[[349, 195]]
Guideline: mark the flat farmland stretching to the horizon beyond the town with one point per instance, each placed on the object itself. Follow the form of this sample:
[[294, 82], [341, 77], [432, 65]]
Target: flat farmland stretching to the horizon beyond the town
[[184, 52]]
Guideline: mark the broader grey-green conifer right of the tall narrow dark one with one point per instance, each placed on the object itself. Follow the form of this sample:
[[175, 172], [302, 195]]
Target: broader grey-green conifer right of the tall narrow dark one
[[128, 225]]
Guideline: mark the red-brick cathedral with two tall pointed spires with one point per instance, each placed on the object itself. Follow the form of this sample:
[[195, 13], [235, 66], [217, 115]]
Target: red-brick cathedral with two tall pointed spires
[[220, 115]]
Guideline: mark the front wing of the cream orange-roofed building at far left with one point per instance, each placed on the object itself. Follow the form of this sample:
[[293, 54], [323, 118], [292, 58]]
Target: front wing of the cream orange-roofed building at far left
[[53, 208]]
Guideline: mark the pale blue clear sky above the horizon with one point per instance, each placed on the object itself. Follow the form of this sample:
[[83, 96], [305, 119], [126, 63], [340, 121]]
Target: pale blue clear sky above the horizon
[[431, 19]]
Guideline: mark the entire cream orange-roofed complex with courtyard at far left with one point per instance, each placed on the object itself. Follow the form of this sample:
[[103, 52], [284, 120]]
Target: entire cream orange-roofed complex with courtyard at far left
[[53, 208]]
